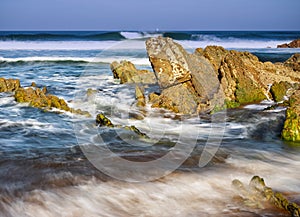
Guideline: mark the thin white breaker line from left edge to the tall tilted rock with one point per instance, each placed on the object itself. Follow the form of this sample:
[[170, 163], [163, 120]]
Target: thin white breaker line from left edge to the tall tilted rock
[[108, 60]]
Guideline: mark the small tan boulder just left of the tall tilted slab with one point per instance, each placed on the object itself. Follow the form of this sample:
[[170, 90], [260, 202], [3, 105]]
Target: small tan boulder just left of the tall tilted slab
[[127, 73]]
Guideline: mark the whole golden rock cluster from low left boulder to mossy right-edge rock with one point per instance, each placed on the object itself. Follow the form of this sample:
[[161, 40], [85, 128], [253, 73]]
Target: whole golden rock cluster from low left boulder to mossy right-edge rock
[[213, 79]]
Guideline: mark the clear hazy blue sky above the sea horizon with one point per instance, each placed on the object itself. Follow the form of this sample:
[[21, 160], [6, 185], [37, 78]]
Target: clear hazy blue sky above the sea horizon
[[150, 14]]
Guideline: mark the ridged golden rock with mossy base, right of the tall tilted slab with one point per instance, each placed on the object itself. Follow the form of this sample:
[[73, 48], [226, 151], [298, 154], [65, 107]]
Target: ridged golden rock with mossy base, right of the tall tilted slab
[[243, 77]]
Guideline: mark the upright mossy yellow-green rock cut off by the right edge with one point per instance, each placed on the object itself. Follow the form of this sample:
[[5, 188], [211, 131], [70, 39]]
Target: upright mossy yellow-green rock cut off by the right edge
[[291, 128]]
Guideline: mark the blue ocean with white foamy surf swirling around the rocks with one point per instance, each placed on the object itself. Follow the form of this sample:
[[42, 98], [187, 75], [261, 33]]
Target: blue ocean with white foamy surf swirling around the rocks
[[45, 164]]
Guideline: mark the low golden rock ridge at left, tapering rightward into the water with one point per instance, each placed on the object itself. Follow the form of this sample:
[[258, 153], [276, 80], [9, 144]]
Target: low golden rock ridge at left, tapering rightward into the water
[[38, 98]]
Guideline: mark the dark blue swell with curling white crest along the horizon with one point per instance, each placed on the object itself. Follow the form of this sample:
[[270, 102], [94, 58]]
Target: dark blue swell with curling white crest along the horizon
[[123, 35]]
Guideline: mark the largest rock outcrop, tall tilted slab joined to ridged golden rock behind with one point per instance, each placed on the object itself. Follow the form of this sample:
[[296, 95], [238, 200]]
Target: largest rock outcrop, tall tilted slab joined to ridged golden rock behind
[[212, 78]]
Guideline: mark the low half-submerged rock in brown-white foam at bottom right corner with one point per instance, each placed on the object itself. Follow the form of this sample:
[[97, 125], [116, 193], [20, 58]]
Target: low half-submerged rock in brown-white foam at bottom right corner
[[257, 193]]
